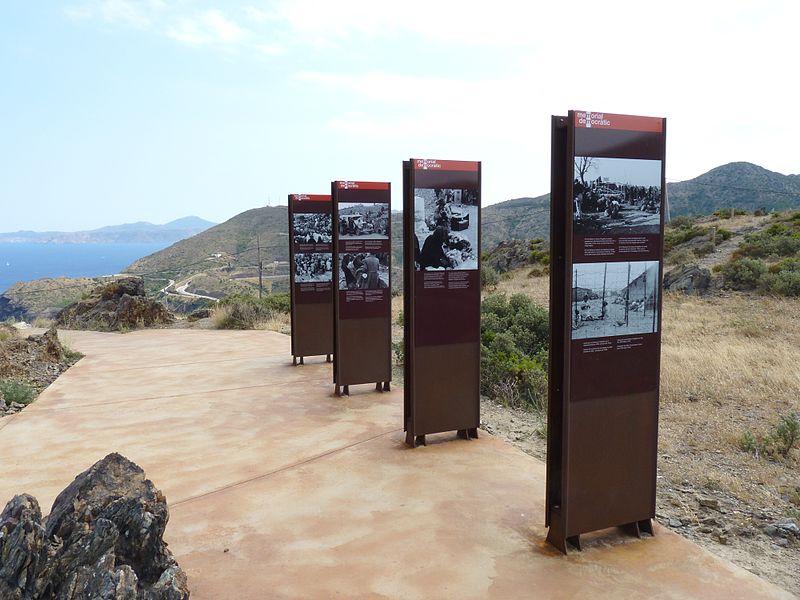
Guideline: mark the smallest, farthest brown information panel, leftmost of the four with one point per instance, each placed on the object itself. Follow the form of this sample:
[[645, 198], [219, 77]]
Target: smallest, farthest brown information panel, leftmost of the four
[[311, 268]]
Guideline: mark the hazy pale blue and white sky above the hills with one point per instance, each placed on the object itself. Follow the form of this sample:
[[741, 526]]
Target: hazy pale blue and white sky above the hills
[[121, 110]]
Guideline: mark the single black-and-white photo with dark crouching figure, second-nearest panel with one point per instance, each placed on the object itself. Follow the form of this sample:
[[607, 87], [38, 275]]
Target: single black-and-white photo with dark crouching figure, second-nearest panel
[[445, 229]]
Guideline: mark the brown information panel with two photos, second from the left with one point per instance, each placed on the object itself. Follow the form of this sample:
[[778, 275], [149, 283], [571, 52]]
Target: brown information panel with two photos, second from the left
[[362, 218]]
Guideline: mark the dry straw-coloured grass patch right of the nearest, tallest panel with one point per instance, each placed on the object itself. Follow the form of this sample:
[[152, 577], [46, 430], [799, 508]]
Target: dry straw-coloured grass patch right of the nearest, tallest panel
[[729, 365]]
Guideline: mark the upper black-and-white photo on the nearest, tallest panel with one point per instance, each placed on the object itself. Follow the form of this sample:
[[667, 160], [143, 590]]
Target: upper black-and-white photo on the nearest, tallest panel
[[616, 196]]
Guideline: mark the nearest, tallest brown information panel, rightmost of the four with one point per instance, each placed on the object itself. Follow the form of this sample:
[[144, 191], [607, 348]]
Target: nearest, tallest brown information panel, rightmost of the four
[[606, 246]]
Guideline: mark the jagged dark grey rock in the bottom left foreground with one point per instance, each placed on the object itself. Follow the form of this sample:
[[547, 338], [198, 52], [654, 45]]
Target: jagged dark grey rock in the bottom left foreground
[[103, 540]]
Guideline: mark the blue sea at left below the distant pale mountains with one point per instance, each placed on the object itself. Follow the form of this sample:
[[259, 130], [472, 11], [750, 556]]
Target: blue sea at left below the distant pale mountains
[[24, 262]]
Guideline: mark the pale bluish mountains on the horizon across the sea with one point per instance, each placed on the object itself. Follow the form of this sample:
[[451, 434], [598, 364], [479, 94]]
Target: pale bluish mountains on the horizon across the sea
[[128, 233]]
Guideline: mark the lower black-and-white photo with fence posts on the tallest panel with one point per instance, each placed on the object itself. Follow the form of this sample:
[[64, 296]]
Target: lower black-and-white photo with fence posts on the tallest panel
[[619, 298]]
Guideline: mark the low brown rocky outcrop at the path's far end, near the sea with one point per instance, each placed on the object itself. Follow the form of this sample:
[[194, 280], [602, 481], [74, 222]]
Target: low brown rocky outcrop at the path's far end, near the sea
[[118, 306]]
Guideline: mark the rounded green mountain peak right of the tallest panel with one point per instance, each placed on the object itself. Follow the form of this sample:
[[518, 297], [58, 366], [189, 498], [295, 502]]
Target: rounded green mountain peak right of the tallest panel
[[740, 184]]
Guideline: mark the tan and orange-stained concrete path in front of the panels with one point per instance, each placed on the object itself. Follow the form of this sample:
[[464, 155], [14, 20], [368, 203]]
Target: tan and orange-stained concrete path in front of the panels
[[278, 489]]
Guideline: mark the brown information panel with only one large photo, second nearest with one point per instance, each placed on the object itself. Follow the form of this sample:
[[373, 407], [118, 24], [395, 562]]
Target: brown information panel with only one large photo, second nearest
[[442, 297]]
